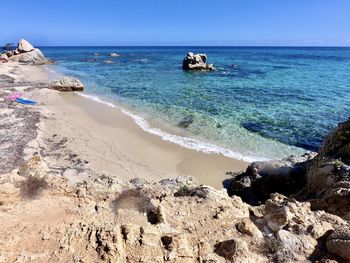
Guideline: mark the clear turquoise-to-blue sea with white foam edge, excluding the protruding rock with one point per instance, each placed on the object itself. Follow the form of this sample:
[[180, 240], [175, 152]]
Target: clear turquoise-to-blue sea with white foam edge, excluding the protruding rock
[[260, 103]]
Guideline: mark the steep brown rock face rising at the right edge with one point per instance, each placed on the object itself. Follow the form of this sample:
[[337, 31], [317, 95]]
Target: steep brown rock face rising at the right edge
[[328, 175]]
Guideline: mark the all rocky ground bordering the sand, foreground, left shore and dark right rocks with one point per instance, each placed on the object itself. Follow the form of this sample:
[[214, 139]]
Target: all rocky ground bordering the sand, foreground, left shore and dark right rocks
[[274, 212]]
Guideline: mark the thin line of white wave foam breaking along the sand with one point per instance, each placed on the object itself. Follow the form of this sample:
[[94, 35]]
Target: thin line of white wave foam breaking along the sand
[[183, 141]]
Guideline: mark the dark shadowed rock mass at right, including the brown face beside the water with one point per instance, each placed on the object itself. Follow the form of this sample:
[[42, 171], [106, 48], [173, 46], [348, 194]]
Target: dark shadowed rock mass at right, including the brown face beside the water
[[322, 179]]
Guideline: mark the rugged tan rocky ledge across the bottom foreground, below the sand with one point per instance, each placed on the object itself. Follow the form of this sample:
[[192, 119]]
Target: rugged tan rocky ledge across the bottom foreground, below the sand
[[46, 219]]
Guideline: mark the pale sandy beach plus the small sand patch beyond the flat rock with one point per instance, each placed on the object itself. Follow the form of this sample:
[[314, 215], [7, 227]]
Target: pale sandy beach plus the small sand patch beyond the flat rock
[[88, 138]]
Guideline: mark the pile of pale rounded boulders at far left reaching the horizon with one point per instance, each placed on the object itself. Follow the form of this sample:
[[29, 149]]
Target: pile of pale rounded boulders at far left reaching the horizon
[[26, 53]]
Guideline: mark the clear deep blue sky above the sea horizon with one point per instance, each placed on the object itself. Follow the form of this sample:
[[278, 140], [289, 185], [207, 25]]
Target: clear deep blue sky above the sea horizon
[[177, 22]]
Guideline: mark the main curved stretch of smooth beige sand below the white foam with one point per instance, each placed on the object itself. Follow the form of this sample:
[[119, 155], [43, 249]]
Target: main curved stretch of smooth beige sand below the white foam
[[122, 149]]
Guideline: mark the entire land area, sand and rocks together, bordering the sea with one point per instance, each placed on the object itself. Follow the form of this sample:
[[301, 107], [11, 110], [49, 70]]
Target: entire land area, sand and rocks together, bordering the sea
[[82, 181]]
